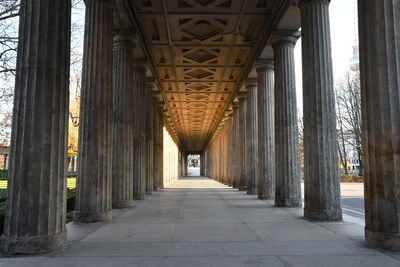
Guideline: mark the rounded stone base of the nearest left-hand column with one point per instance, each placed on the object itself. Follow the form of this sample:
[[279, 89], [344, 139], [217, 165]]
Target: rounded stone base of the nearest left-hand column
[[33, 244]]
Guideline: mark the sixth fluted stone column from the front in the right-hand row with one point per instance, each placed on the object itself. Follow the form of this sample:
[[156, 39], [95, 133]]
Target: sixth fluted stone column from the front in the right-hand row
[[242, 142]]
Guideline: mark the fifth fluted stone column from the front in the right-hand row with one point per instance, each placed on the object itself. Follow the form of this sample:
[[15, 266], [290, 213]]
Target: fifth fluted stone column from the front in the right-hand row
[[252, 136]]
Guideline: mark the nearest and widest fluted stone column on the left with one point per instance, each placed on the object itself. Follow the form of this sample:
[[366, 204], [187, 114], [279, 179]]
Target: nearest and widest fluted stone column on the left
[[36, 205]]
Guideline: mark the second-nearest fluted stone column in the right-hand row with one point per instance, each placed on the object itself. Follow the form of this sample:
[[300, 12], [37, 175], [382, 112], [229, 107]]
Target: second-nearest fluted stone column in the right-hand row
[[321, 170]]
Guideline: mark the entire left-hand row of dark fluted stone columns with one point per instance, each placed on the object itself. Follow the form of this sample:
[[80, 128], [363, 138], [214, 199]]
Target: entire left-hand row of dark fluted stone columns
[[120, 133]]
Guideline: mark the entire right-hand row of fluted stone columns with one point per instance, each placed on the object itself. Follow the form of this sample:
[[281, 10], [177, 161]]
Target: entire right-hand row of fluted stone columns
[[270, 128]]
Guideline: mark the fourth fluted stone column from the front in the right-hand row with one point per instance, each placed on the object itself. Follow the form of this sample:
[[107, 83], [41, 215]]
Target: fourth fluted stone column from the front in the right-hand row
[[266, 130]]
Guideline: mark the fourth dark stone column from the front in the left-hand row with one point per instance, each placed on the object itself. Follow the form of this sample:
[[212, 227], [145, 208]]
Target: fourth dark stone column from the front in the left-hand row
[[139, 132]]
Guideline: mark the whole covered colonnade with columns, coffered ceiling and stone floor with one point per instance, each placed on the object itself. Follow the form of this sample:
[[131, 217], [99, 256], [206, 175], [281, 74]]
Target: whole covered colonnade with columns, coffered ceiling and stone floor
[[162, 79]]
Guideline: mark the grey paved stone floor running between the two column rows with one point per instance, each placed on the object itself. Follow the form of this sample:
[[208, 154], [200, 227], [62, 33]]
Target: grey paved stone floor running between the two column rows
[[199, 222]]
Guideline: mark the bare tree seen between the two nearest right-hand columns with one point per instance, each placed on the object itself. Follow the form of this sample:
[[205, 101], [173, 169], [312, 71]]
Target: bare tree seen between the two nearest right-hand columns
[[348, 103]]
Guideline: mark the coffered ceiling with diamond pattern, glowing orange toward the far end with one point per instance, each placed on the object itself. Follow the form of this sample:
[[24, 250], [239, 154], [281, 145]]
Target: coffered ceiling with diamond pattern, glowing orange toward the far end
[[200, 49]]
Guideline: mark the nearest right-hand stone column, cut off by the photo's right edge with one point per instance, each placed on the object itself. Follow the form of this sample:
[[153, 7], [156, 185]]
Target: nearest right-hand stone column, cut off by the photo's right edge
[[380, 91]]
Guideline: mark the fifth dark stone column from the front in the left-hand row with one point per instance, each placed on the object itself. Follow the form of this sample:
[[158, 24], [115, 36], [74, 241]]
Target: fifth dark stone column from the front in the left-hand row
[[149, 134]]
